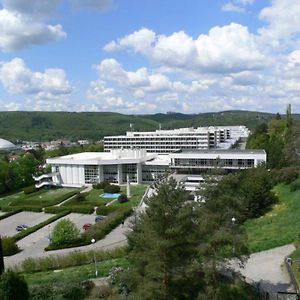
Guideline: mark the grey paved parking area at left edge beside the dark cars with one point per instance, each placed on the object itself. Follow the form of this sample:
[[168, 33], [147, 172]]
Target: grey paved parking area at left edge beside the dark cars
[[8, 225]]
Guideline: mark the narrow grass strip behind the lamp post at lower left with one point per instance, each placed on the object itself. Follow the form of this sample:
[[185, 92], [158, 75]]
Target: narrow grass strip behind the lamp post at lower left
[[75, 273]]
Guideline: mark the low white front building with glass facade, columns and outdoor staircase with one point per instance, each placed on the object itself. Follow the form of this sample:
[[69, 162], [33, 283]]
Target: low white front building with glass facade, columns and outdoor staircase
[[92, 167]]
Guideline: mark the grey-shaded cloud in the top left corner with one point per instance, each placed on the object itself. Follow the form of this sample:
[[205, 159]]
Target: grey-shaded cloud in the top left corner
[[22, 24]]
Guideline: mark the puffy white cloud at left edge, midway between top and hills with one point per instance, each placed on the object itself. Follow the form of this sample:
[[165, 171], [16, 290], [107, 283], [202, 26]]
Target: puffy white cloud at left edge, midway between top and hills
[[17, 78]]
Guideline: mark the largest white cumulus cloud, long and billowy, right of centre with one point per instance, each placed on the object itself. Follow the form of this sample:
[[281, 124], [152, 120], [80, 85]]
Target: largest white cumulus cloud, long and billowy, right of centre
[[227, 49]]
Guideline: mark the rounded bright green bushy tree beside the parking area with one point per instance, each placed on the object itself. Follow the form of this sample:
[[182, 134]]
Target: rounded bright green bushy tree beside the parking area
[[64, 233]]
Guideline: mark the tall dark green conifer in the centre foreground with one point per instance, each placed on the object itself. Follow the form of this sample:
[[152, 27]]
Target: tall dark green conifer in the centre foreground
[[164, 247]]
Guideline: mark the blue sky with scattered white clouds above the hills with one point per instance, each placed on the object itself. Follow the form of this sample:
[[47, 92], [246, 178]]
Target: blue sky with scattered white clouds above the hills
[[149, 56]]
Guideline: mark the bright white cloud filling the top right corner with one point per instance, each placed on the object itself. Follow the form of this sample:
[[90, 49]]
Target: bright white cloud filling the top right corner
[[283, 18]]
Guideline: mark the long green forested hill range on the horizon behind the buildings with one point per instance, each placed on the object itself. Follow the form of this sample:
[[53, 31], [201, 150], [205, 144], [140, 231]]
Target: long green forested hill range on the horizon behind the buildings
[[43, 126]]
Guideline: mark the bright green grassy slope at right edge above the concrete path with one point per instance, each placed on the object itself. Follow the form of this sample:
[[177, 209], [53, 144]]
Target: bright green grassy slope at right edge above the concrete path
[[278, 227]]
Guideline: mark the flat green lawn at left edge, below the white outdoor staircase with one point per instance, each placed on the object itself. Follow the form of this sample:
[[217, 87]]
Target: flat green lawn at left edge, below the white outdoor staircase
[[42, 198]]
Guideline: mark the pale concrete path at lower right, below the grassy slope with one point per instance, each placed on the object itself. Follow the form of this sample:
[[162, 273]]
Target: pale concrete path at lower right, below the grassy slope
[[266, 269]]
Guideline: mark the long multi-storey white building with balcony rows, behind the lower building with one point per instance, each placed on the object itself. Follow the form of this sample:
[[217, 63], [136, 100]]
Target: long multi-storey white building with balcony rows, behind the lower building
[[168, 141]]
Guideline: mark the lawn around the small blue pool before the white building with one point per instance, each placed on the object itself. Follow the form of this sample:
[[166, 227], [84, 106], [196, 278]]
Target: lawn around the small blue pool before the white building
[[94, 199]]
